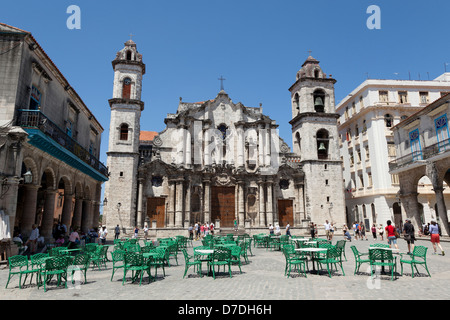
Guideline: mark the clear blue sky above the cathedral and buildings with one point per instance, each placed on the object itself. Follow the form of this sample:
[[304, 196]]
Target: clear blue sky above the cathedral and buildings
[[258, 46]]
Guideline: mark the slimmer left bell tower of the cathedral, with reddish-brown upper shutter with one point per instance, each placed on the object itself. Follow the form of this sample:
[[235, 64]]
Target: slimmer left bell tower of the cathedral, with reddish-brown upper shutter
[[123, 150]]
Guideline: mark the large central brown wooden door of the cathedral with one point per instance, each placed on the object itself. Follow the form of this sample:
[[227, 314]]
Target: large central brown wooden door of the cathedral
[[223, 206]]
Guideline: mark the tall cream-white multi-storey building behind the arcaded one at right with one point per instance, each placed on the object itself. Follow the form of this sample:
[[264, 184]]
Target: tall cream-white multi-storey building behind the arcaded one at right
[[367, 145]]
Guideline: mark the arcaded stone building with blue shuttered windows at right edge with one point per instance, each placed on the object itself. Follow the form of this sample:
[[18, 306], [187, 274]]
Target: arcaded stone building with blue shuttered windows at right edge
[[423, 154]]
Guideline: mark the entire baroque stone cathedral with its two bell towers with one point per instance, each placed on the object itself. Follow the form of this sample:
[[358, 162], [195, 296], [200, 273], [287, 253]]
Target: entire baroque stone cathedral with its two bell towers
[[222, 162]]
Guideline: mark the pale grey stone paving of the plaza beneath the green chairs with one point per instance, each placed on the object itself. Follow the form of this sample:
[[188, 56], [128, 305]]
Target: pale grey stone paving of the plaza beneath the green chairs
[[262, 279]]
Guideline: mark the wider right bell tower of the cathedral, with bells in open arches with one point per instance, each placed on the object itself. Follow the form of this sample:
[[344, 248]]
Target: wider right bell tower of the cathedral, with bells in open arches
[[315, 140]]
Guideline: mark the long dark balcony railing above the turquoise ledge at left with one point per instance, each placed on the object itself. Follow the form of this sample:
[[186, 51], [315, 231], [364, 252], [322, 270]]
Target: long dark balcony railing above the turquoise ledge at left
[[35, 119]]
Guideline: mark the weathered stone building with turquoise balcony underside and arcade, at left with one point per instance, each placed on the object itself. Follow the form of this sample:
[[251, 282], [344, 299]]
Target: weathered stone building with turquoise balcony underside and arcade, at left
[[49, 142]]
